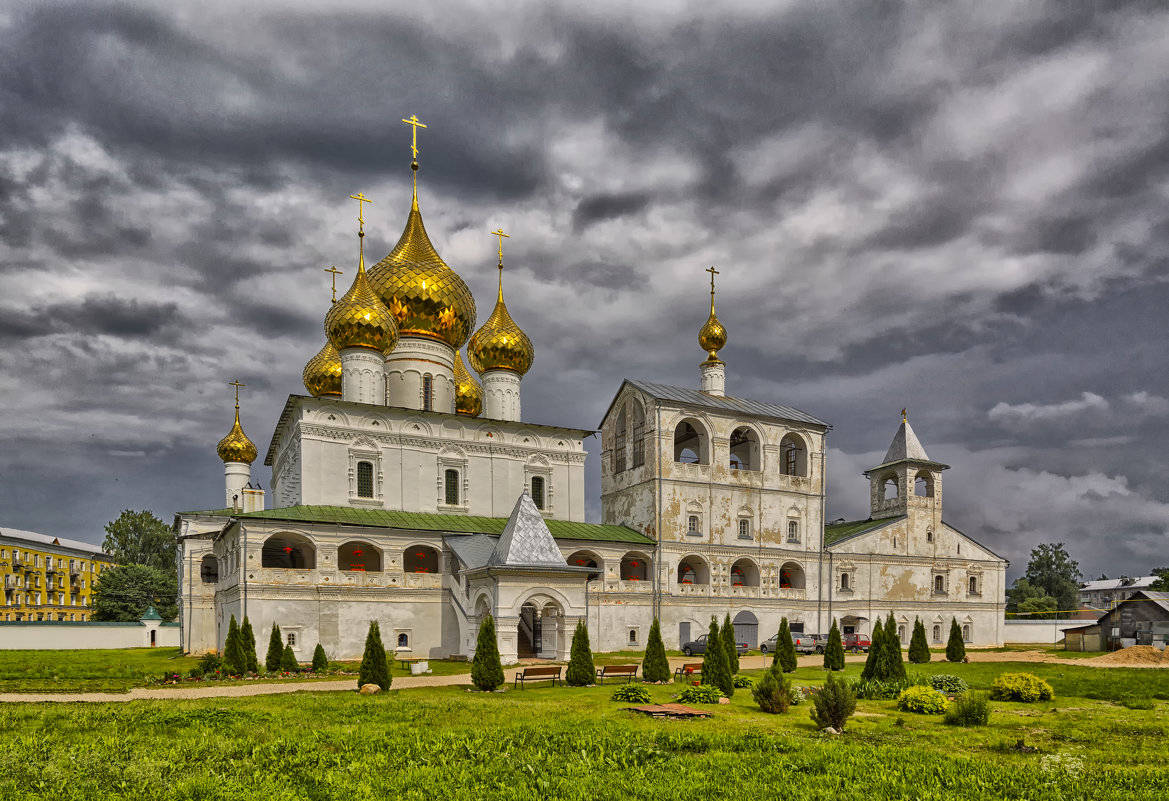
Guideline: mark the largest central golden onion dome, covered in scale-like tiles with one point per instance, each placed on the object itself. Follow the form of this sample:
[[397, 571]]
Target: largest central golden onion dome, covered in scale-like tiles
[[427, 298]]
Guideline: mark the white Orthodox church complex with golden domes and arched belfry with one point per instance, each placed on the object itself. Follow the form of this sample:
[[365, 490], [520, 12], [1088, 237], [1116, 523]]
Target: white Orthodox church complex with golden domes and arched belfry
[[409, 493]]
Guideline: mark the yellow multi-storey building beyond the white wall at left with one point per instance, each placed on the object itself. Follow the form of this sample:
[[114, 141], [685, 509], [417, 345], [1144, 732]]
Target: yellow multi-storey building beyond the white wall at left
[[47, 578]]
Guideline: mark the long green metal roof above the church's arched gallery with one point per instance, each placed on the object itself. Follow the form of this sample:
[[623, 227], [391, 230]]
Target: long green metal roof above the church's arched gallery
[[385, 519]]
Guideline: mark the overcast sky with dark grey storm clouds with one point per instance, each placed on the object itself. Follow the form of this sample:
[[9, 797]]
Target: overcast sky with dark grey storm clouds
[[963, 209]]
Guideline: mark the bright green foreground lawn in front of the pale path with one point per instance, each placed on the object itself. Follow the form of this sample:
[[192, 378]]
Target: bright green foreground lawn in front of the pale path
[[565, 743]]
